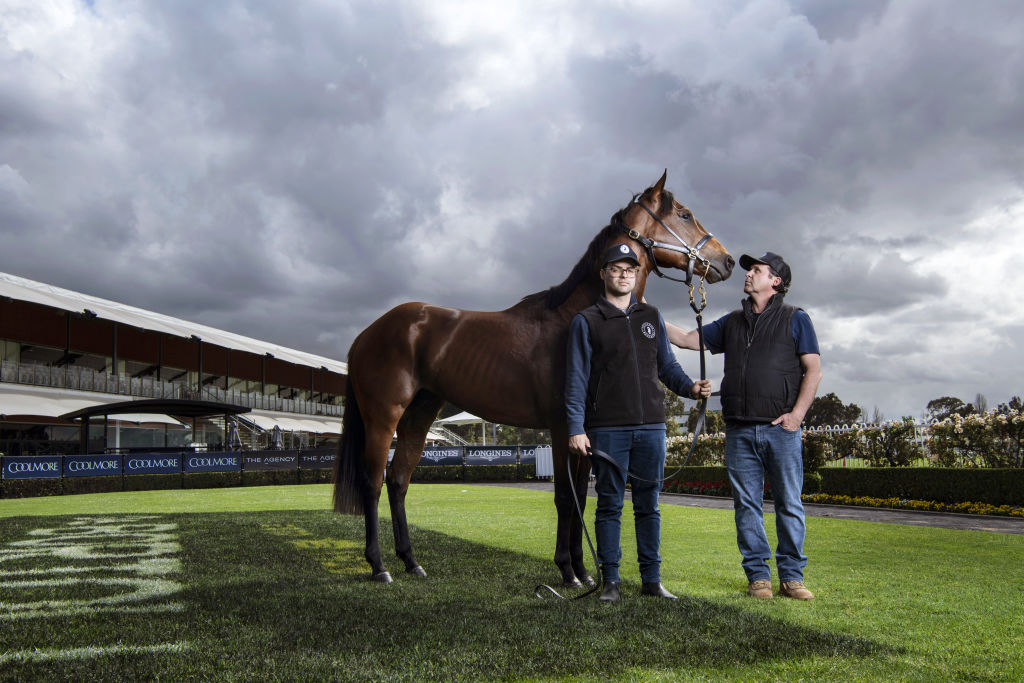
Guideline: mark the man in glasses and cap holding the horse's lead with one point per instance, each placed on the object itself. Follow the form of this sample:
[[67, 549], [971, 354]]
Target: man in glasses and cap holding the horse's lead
[[618, 352]]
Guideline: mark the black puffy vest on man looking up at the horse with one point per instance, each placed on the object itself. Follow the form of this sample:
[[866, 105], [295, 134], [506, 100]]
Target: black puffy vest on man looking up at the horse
[[762, 368]]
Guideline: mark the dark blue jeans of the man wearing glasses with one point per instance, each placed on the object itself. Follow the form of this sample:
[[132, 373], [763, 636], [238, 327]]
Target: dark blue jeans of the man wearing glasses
[[642, 452]]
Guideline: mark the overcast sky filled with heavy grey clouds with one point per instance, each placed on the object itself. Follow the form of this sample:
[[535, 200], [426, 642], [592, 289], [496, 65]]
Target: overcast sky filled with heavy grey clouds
[[291, 170]]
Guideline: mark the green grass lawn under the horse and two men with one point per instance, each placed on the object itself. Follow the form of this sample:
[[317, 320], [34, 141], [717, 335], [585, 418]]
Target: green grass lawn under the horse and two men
[[274, 586]]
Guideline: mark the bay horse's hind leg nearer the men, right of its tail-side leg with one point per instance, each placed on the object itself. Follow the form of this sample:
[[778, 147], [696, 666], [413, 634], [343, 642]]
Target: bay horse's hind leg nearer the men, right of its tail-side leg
[[412, 433]]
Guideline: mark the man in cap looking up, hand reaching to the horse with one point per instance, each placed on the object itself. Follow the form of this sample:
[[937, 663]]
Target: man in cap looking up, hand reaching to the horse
[[773, 370]]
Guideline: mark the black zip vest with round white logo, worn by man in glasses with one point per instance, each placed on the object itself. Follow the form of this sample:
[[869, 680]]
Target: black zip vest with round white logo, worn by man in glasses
[[624, 389]]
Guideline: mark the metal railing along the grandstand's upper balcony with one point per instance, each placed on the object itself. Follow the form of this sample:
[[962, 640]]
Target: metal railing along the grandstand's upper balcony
[[87, 379]]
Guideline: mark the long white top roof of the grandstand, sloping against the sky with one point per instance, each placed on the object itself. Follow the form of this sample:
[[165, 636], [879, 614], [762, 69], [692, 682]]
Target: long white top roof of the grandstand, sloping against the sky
[[49, 295]]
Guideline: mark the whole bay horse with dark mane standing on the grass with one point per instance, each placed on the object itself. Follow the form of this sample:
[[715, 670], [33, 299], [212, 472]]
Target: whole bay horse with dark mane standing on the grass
[[507, 367]]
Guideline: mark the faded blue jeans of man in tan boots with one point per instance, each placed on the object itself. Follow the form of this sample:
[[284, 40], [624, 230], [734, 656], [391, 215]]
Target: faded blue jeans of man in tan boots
[[752, 452]]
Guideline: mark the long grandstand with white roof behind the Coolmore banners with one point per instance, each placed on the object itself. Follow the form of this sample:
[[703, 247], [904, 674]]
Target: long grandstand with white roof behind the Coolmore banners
[[79, 373]]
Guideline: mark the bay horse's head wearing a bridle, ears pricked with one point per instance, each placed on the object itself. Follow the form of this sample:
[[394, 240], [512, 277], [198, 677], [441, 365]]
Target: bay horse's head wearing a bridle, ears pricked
[[671, 237]]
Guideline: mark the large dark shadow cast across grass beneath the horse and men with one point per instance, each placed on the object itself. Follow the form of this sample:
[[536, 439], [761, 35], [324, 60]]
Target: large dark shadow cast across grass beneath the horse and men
[[286, 595]]
